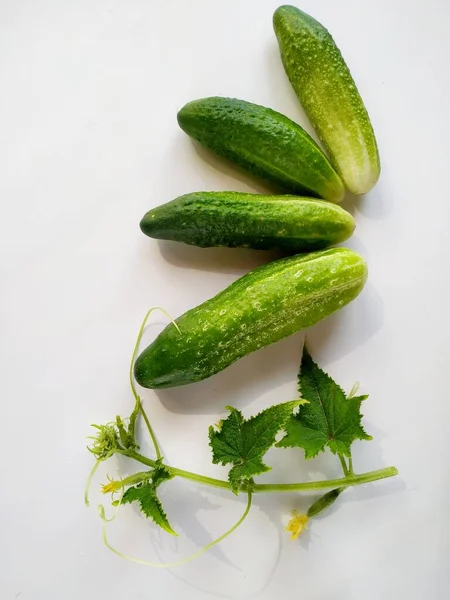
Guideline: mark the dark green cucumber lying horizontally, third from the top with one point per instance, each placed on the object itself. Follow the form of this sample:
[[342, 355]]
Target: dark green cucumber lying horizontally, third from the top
[[236, 219]]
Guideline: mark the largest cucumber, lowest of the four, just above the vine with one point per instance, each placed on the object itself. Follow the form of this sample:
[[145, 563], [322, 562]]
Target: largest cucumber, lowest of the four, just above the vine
[[262, 307]]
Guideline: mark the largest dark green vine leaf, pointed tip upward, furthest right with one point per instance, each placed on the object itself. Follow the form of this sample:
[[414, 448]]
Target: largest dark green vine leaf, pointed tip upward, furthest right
[[328, 419]]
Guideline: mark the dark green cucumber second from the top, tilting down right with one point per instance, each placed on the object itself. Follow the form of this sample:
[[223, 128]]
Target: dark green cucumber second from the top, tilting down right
[[265, 143]]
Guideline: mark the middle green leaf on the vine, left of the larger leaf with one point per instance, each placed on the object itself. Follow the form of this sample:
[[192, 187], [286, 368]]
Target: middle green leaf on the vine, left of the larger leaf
[[243, 443]]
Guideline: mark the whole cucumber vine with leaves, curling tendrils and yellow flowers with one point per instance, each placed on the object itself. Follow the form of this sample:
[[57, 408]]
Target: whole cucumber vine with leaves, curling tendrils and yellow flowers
[[323, 417]]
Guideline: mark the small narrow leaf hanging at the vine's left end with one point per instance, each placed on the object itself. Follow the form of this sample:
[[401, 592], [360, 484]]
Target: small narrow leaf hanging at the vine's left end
[[145, 495]]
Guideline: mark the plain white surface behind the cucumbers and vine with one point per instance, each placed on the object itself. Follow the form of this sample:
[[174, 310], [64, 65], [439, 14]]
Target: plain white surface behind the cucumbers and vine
[[89, 142]]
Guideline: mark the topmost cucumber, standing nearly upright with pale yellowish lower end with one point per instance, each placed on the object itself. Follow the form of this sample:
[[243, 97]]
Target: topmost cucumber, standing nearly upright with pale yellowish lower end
[[327, 92]]
